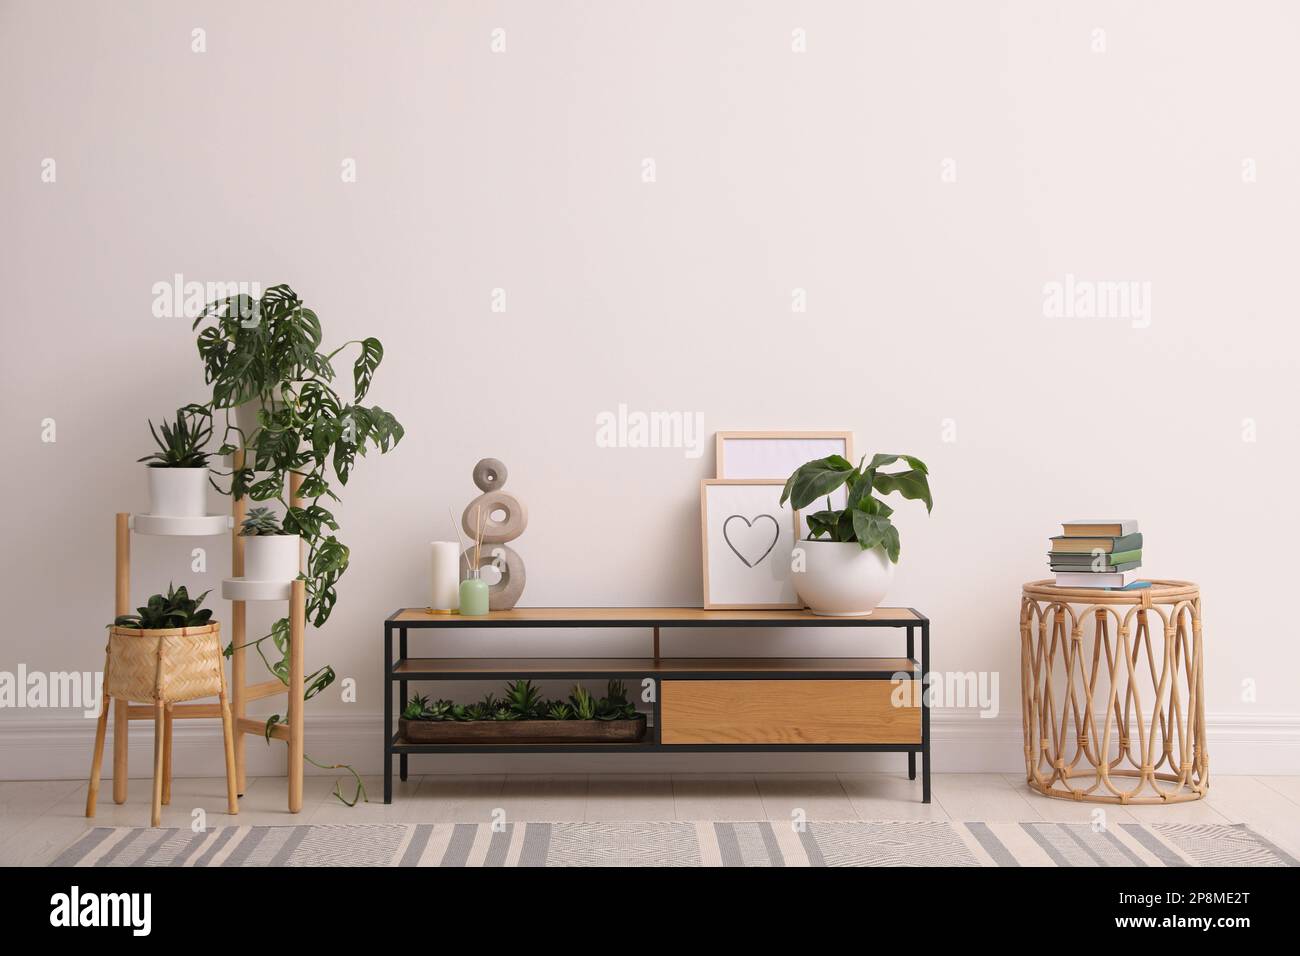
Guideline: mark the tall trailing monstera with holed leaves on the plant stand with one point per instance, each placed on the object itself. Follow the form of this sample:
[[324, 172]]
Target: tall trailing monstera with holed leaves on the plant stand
[[265, 362]]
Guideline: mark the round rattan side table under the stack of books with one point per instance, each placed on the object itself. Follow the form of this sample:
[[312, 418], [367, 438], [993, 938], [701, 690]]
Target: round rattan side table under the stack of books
[[1112, 693]]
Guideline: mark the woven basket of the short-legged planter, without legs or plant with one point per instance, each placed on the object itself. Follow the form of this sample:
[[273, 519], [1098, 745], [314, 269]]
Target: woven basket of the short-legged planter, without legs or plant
[[174, 665]]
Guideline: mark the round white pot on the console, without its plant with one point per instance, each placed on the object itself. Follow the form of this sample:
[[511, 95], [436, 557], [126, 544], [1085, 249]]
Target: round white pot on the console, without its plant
[[842, 581]]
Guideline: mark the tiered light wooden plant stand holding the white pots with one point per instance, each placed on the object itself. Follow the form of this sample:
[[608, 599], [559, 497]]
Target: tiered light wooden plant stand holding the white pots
[[241, 693]]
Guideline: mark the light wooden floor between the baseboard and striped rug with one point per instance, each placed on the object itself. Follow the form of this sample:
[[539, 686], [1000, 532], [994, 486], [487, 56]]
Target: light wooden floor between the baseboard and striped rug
[[38, 819]]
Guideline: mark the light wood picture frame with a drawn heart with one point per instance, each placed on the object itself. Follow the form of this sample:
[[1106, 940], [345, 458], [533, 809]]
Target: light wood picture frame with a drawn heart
[[747, 566]]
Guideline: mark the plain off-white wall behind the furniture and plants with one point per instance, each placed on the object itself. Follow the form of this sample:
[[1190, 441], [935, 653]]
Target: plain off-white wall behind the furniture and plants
[[777, 171]]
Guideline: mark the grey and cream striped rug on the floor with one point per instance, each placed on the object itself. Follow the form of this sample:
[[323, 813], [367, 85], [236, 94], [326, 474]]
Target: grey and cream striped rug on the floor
[[851, 843]]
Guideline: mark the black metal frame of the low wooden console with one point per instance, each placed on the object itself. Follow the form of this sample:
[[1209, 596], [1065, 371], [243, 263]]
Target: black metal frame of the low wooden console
[[392, 749]]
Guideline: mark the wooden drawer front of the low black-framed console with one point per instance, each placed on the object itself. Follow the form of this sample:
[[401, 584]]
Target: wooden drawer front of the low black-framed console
[[786, 712]]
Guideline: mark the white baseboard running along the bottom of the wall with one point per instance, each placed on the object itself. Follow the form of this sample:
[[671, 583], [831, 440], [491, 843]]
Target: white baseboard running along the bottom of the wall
[[47, 749]]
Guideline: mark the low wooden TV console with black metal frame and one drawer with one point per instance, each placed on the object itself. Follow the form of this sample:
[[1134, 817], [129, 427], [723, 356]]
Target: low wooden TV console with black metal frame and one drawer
[[709, 706]]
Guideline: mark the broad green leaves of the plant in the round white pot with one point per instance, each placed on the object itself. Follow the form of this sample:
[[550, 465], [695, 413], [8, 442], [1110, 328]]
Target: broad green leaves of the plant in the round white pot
[[865, 518]]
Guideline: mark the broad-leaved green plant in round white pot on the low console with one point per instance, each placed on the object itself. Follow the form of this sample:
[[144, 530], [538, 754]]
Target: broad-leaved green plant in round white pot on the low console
[[846, 566]]
